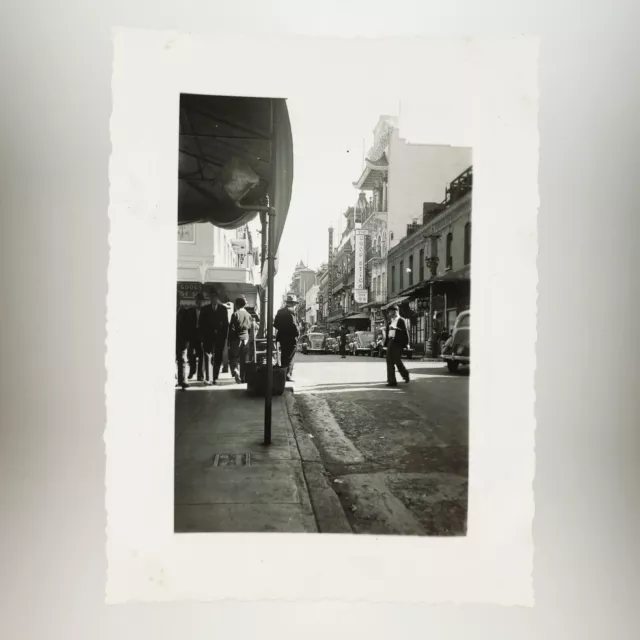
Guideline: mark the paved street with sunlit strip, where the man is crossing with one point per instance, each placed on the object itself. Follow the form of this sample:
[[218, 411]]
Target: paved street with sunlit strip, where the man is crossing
[[396, 457]]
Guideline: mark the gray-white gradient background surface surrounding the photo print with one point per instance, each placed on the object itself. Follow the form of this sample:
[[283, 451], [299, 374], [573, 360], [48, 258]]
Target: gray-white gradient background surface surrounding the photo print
[[54, 191]]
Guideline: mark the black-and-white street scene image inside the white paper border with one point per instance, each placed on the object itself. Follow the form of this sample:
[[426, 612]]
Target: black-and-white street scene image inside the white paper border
[[322, 322]]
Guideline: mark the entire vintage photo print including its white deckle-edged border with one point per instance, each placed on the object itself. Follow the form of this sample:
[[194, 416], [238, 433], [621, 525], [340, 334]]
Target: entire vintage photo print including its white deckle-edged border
[[304, 230]]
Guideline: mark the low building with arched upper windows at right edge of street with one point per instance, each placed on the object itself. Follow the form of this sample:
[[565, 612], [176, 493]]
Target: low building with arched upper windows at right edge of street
[[429, 270]]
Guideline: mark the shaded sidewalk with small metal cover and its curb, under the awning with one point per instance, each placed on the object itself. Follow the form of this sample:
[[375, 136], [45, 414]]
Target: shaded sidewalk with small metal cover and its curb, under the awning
[[227, 480]]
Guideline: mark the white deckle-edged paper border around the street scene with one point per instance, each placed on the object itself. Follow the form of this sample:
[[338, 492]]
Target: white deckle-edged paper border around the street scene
[[474, 93]]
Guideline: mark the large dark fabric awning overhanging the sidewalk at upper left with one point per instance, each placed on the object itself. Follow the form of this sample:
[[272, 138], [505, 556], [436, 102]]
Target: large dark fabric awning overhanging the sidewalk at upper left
[[234, 152]]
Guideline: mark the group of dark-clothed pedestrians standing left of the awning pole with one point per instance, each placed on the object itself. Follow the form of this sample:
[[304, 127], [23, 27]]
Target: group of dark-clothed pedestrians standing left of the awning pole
[[203, 332]]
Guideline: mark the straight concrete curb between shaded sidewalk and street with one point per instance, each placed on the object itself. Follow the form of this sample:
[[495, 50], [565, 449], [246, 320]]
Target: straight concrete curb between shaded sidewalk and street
[[330, 516]]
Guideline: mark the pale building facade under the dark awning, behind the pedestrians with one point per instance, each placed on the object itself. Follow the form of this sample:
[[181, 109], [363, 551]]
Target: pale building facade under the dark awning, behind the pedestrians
[[225, 259]]
